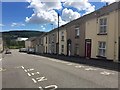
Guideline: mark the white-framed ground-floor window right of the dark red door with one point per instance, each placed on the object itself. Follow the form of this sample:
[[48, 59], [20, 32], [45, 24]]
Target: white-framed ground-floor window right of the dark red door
[[102, 49]]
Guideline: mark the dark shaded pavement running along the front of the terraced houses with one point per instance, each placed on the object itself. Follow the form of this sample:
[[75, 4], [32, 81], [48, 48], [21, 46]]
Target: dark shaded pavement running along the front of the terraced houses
[[110, 65]]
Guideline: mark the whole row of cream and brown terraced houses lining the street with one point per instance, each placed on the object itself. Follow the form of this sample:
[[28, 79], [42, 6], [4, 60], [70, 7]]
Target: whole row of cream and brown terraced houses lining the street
[[95, 35]]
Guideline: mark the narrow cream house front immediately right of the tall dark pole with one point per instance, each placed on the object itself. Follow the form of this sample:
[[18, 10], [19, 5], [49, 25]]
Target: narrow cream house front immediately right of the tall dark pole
[[63, 40]]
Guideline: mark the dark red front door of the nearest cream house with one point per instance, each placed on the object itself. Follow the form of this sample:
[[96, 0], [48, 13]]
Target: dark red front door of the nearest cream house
[[88, 48]]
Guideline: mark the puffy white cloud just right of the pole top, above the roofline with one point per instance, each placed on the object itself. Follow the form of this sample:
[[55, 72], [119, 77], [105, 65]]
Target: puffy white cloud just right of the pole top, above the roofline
[[69, 14]]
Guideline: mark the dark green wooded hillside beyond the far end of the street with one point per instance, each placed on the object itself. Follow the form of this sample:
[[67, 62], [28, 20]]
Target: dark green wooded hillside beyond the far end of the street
[[10, 37]]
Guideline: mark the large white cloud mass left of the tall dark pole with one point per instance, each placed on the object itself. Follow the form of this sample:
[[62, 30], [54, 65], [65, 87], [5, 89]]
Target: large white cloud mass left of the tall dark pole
[[43, 11]]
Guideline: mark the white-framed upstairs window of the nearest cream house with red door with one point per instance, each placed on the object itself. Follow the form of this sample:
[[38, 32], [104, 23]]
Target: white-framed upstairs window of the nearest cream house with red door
[[103, 26]]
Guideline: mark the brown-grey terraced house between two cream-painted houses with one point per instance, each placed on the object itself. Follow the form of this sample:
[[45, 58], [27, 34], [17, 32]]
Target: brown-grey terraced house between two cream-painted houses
[[76, 37]]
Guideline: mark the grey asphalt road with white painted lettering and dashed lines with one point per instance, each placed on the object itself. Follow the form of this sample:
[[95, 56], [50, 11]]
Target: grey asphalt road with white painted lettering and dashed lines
[[21, 70]]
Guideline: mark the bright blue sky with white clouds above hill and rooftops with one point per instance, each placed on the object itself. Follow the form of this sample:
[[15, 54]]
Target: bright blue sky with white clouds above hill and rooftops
[[43, 16]]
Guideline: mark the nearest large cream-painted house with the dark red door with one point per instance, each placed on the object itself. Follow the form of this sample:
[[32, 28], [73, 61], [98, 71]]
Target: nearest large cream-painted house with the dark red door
[[103, 33]]
